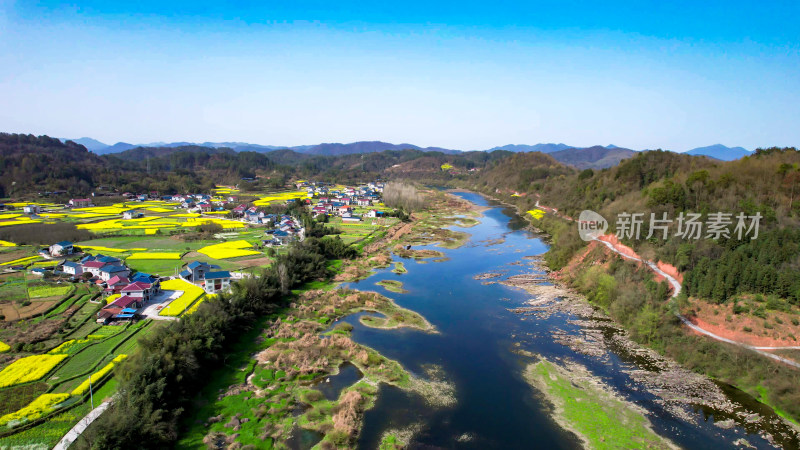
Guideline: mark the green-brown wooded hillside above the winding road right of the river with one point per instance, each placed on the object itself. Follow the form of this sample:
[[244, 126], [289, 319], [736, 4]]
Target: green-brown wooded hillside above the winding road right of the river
[[766, 183]]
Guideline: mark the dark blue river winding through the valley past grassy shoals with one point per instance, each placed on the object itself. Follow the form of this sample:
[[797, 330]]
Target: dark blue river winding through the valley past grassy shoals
[[478, 350]]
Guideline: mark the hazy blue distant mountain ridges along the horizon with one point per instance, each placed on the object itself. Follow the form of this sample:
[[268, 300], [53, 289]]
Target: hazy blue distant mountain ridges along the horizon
[[595, 157]]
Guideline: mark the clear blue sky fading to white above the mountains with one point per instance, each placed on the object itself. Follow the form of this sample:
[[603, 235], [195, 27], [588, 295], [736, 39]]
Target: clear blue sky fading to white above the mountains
[[466, 75]]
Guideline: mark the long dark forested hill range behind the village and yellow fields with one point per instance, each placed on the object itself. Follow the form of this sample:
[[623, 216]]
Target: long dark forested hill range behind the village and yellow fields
[[42, 164]]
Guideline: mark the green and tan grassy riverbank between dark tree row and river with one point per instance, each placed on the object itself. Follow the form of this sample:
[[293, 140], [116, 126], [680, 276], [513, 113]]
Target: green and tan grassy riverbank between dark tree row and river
[[275, 397]]
